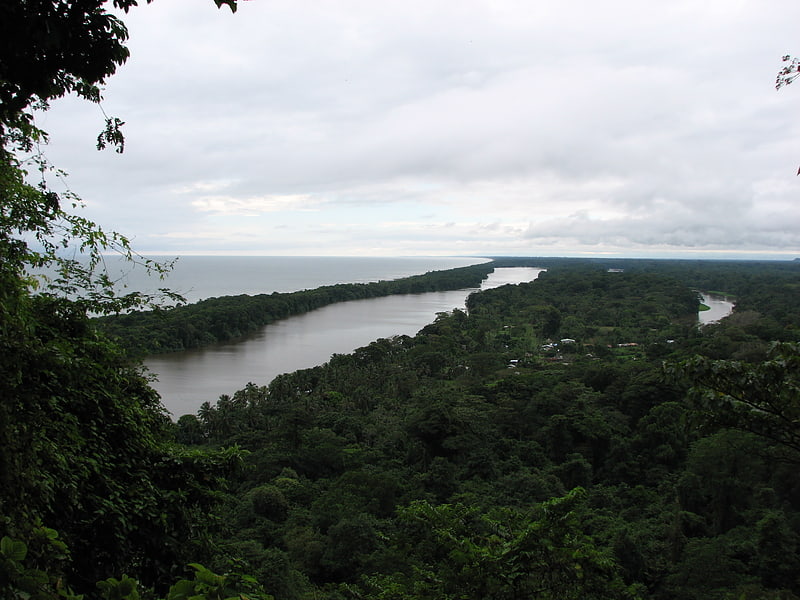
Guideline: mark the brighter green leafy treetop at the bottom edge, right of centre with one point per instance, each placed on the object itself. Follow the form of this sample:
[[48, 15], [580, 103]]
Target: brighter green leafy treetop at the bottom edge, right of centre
[[460, 552]]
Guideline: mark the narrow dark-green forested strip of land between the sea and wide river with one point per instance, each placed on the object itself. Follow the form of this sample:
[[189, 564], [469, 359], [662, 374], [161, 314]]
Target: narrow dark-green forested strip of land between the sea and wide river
[[216, 320]]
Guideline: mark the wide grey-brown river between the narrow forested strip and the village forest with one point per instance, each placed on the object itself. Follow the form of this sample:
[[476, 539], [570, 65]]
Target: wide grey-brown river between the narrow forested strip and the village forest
[[187, 379]]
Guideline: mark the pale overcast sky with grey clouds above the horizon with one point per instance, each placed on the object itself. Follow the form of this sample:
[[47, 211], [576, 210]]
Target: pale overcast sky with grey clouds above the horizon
[[637, 128]]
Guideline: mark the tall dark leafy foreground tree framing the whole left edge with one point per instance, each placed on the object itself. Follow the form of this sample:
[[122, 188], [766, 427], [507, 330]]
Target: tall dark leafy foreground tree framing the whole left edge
[[86, 443]]
